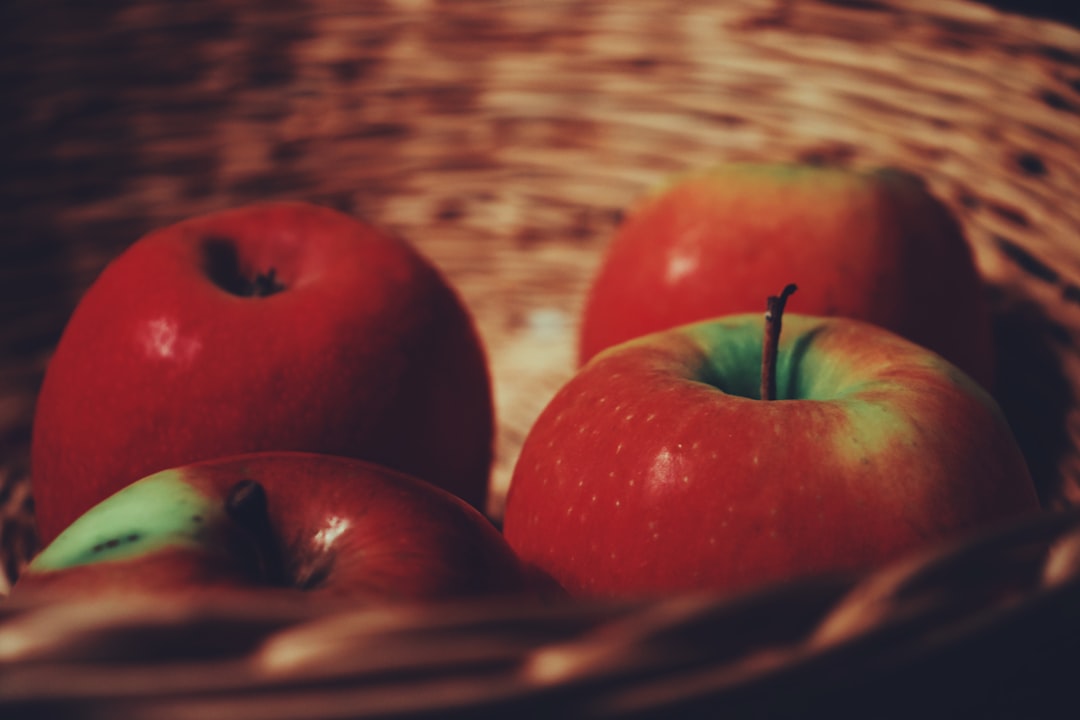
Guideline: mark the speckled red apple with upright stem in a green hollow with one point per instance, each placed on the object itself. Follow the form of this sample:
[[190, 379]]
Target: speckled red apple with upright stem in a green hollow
[[659, 469]]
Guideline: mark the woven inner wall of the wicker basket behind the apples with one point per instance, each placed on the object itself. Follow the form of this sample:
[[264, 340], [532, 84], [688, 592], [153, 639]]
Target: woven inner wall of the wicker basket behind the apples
[[506, 140]]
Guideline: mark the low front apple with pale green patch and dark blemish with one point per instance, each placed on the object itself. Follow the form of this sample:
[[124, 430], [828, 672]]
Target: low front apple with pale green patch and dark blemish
[[265, 523]]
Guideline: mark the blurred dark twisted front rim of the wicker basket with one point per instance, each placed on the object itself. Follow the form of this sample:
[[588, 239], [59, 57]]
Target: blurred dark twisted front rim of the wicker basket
[[923, 639]]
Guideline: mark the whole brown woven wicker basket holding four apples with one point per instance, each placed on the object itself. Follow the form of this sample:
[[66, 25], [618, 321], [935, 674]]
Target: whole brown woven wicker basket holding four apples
[[505, 139]]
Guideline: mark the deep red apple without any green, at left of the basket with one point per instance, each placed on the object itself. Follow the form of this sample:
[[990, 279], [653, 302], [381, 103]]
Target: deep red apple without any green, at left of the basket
[[269, 328]]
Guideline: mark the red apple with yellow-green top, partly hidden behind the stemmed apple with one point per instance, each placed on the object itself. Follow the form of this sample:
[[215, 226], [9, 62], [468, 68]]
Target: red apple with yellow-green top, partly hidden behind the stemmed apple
[[872, 246]]
